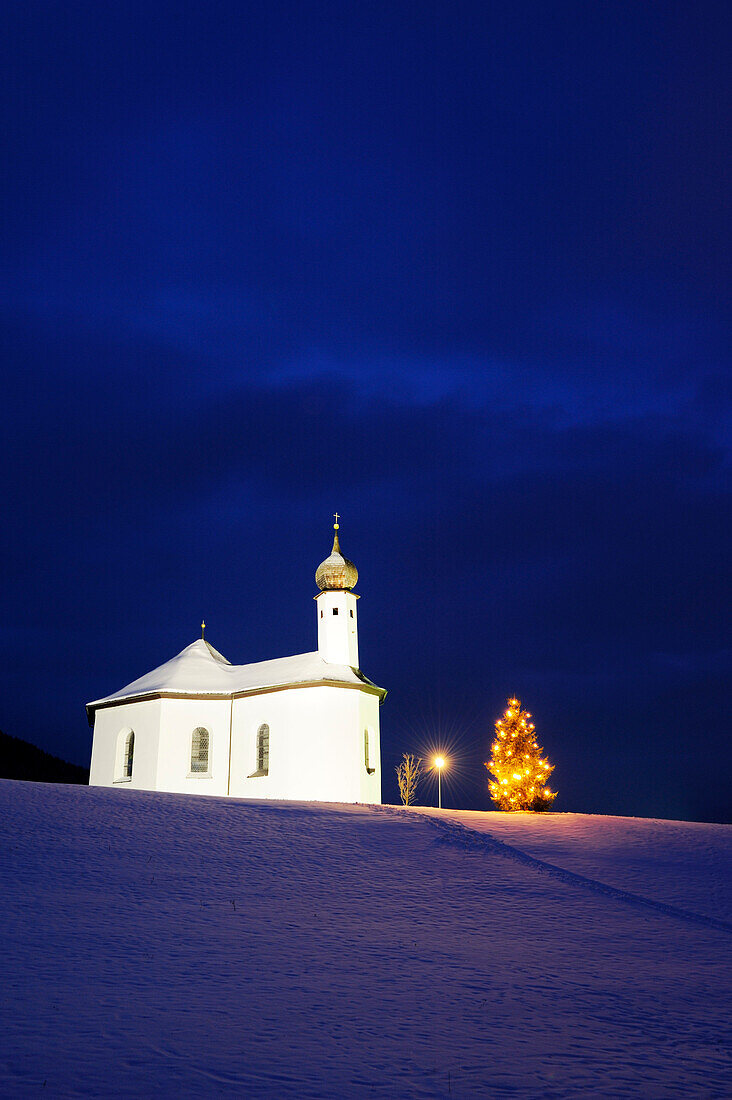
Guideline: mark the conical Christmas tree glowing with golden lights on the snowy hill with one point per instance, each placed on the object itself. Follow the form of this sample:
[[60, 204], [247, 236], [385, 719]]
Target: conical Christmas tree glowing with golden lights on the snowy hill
[[519, 772]]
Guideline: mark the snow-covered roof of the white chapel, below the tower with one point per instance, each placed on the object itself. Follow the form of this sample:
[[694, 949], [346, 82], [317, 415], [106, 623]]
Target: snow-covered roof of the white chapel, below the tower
[[202, 670]]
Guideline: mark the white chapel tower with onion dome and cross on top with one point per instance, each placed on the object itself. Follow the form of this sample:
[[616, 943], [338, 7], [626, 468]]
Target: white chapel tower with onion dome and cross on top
[[338, 639]]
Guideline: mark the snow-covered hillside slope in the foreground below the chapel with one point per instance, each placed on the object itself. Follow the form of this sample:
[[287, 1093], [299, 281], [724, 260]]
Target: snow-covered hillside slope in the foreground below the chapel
[[163, 944]]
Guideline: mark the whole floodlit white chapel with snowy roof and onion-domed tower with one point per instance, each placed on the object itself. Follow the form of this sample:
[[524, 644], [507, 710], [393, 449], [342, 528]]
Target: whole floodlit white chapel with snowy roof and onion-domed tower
[[301, 728]]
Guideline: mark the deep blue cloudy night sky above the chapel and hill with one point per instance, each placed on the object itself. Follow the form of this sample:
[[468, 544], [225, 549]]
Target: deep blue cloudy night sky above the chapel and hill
[[457, 271]]
